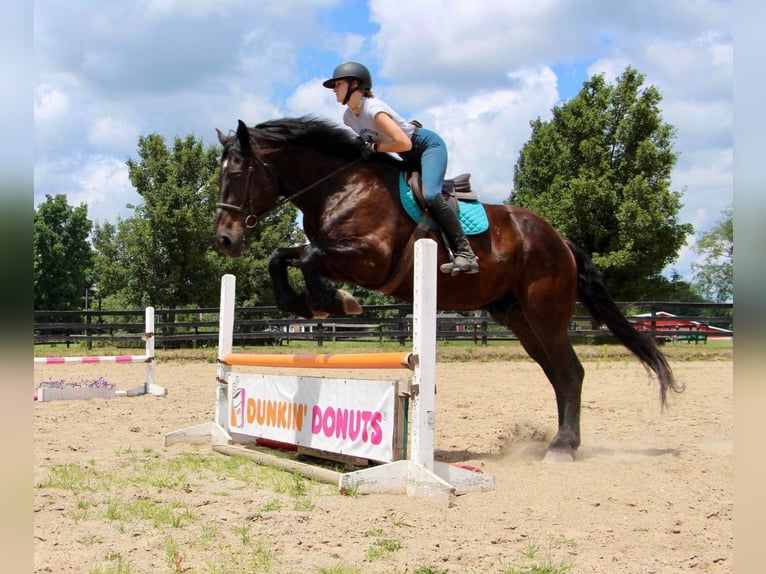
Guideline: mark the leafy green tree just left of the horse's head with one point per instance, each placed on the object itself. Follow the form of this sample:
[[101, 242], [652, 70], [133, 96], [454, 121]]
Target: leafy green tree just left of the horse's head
[[163, 255]]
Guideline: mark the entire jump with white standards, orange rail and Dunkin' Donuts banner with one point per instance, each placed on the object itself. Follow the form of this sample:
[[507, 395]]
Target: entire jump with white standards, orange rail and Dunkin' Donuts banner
[[417, 475]]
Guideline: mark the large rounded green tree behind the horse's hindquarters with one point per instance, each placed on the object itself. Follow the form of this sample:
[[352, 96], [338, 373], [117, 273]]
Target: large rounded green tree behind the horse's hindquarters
[[599, 172]]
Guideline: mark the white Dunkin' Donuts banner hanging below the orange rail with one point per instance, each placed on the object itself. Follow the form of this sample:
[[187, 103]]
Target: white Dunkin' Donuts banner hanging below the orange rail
[[353, 417]]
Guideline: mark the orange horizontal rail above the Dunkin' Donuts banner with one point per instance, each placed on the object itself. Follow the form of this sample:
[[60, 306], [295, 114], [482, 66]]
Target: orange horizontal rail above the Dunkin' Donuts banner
[[328, 361]]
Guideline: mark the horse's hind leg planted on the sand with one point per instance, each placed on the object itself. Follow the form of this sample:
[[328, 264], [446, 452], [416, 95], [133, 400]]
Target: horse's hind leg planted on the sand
[[550, 347]]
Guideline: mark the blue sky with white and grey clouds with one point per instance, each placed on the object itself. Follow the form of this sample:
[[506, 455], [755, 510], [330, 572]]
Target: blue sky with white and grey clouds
[[108, 72]]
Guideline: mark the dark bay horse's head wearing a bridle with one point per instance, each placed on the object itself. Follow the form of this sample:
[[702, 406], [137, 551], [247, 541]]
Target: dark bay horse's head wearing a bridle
[[249, 189]]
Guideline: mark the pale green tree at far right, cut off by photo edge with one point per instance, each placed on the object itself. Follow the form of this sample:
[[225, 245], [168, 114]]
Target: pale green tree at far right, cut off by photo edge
[[714, 278]]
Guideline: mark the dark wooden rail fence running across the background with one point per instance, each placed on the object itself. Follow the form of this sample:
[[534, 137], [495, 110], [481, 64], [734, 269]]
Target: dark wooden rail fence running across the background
[[267, 326]]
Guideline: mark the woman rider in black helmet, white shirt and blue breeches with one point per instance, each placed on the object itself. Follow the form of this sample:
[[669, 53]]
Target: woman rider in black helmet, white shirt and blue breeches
[[383, 130]]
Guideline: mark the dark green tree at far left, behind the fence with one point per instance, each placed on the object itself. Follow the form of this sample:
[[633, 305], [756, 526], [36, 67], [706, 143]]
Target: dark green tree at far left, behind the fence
[[62, 254]]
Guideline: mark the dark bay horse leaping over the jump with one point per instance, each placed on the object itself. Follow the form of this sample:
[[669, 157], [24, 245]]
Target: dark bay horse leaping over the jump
[[359, 233]]
